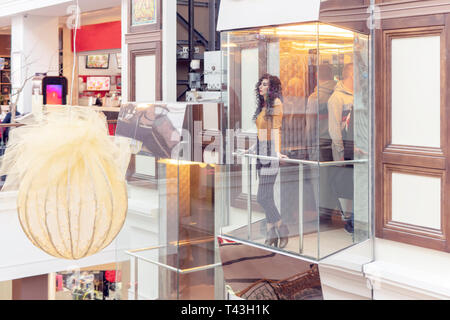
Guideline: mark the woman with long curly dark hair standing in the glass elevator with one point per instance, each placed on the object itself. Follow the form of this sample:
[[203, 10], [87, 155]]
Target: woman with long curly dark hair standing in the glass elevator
[[268, 118]]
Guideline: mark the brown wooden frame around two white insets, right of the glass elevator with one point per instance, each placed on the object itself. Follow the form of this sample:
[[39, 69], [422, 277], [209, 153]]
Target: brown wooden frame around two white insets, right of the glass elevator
[[414, 160]]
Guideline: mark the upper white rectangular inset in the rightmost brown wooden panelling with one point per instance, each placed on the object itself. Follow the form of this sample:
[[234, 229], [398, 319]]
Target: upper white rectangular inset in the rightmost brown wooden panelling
[[416, 91]]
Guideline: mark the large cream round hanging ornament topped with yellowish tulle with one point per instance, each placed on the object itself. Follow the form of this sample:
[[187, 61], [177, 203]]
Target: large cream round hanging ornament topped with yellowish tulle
[[70, 176]]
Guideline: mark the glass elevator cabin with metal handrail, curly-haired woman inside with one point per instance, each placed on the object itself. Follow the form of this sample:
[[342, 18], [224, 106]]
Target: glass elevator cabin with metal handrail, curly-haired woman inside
[[296, 175]]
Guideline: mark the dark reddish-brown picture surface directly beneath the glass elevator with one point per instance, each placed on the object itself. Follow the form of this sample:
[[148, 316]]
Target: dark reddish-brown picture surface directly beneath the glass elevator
[[254, 274]]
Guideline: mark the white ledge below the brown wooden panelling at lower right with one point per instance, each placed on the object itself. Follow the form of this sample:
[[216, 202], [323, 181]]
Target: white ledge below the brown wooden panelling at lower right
[[399, 272]]
